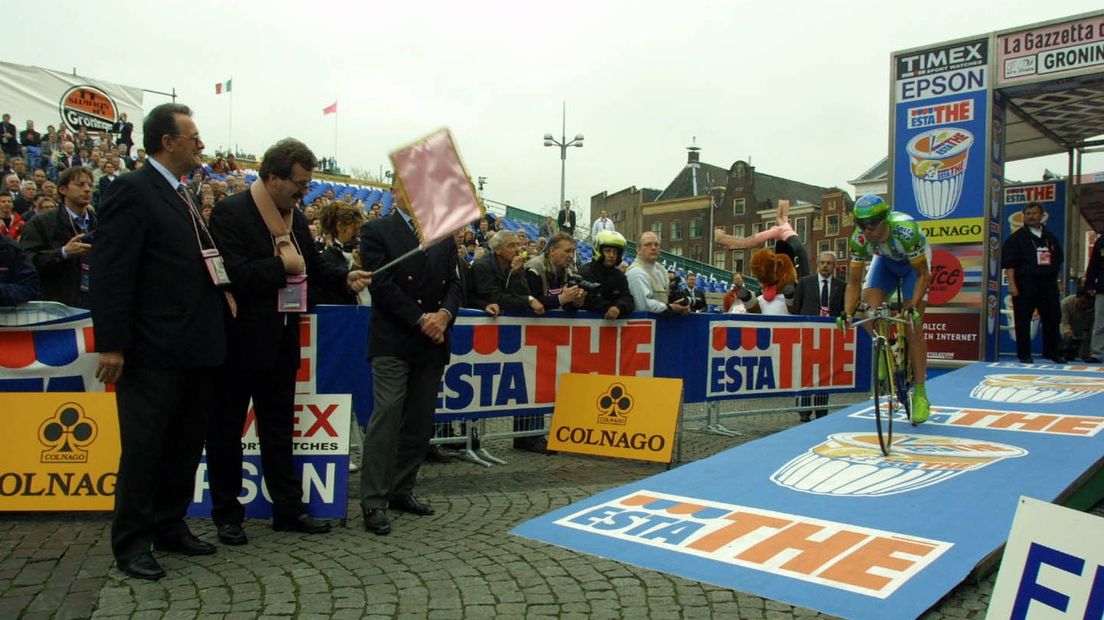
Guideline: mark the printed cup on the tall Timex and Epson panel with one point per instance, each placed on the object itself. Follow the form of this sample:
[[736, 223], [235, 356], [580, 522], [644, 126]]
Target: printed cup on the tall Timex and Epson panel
[[939, 167]]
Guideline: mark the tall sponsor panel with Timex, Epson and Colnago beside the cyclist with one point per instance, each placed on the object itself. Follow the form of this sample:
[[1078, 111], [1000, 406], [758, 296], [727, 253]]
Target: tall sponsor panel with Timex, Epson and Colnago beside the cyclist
[[940, 164]]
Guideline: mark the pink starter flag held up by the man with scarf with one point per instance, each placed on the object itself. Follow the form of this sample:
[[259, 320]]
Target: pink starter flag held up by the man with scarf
[[437, 187]]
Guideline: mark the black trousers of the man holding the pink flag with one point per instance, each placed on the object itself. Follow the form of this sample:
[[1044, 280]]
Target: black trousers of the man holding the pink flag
[[273, 394]]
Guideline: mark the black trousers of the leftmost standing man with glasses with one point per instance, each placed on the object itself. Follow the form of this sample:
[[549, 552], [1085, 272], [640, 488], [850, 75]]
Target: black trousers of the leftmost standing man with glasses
[[163, 421]]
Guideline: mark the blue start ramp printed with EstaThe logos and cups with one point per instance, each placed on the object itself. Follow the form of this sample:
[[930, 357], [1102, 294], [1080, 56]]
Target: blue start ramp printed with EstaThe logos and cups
[[816, 517]]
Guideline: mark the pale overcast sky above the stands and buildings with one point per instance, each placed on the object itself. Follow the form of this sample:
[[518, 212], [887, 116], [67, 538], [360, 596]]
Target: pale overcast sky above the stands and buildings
[[802, 89]]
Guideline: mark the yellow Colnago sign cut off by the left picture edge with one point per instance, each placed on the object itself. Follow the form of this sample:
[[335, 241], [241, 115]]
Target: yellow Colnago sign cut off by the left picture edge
[[62, 452]]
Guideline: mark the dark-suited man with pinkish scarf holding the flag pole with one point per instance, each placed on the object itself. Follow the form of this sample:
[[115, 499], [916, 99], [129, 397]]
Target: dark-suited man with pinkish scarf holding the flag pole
[[270, 256]]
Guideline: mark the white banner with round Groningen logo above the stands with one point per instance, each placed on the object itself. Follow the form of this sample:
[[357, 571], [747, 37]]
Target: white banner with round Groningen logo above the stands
[[50, 98]]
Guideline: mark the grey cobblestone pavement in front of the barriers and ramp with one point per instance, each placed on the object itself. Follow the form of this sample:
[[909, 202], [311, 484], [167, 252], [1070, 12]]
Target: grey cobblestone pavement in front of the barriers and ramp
[[461, 563]]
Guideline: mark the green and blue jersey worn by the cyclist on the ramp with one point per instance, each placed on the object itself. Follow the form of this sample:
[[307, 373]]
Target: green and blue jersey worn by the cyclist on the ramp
[[893, 261]]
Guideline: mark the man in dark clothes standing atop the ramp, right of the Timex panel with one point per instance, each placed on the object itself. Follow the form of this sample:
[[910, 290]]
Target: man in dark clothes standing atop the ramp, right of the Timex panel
[[1032, 260]]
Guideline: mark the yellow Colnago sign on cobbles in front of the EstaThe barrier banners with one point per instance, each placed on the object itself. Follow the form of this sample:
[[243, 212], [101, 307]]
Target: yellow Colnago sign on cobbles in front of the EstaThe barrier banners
[[617, 416]]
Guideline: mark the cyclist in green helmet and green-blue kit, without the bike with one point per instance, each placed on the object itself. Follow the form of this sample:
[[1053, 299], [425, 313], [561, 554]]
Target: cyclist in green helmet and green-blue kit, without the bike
[[900, 258]]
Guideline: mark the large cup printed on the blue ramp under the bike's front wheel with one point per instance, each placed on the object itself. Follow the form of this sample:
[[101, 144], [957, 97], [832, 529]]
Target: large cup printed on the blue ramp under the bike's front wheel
[[852, 464]]
